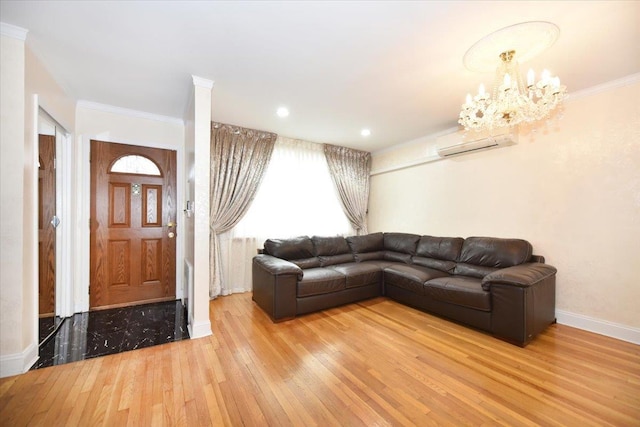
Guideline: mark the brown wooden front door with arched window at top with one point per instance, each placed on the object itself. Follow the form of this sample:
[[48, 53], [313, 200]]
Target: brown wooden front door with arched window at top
[[133, 217]]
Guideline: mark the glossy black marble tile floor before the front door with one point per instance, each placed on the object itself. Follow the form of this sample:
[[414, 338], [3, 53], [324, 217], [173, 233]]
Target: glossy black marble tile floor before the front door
[[104, 332]]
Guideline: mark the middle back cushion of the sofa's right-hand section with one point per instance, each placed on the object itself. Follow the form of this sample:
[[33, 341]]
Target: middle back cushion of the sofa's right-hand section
[[438, 252]]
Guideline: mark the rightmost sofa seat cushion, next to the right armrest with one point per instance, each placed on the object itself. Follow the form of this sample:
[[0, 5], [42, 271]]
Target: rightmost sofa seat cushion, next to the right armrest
[[459, 290]]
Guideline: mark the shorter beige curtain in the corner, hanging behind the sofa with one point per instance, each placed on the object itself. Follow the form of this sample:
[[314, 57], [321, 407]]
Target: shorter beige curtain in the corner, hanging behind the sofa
[[350, 170]]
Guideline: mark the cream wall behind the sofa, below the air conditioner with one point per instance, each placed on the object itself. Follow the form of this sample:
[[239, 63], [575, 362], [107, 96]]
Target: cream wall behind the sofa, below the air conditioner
[[573, 191]]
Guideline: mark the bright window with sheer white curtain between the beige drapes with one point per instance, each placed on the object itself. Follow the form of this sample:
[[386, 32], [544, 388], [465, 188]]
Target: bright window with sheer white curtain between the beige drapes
[[296, 197]]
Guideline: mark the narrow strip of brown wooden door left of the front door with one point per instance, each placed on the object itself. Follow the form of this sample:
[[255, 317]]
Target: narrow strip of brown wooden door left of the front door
[[46, 225]]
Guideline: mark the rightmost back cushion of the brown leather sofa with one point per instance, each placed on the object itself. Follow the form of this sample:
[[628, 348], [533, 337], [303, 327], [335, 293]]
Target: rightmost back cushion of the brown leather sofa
[[482, 255]]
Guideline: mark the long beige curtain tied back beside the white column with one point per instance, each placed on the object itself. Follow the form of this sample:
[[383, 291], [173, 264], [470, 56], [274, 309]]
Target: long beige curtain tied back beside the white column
[[239, 158]]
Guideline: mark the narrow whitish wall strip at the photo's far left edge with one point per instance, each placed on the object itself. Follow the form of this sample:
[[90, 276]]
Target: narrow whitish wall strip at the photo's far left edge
[[17, 311]]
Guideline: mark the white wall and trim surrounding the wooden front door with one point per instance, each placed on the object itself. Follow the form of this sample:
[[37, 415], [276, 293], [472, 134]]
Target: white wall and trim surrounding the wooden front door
[[111, 124]]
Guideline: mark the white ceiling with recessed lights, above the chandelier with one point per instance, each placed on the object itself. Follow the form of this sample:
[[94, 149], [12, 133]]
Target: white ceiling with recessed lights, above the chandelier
[[393, 67]]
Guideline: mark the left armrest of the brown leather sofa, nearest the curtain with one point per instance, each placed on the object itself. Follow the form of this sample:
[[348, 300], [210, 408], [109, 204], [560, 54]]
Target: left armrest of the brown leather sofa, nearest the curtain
[[275, 282]]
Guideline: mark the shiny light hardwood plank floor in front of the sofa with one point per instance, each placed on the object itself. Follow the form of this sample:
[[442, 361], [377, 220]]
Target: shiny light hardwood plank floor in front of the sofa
[[372, 363]]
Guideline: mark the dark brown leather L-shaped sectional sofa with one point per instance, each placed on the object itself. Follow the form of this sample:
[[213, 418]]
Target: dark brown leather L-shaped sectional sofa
[[492, 284]]
